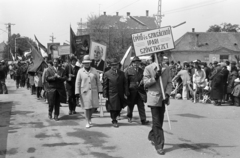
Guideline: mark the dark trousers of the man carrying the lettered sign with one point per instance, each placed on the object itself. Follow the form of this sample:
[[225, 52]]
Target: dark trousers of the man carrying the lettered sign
[[157, 134]]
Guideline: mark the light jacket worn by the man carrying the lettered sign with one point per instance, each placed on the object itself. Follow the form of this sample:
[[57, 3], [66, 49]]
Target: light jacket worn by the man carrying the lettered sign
[[154, 93]]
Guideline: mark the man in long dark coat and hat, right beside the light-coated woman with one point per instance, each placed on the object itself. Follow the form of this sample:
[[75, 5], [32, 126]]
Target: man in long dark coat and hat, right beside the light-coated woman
[[114, 89]]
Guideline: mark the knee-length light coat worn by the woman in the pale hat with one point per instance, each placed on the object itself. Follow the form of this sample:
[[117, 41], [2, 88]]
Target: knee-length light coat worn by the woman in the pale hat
[[88, 86]]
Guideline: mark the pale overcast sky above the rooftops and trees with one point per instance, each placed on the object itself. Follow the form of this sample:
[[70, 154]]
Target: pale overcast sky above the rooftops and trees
[[44, 17]]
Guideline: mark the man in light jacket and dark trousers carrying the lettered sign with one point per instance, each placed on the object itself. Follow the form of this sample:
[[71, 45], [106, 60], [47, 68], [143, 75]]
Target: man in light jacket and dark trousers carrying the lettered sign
[[155, 100]]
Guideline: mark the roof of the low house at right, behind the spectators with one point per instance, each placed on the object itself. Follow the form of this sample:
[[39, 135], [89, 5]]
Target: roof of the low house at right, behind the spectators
[[208, 41]]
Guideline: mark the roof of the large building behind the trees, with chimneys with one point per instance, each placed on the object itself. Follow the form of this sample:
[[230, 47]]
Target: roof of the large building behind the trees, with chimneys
[[132, 22]]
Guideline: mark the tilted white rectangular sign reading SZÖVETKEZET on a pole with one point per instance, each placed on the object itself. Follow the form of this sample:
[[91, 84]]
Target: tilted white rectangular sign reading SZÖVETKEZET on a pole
[[153, 41]]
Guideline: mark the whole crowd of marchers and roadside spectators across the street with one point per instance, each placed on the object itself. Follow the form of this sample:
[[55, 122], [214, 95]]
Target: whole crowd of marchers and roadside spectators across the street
[[81, 84]]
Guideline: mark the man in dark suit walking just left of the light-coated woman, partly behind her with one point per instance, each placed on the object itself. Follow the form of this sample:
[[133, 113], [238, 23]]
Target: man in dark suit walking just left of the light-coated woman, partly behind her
[[71, 71]]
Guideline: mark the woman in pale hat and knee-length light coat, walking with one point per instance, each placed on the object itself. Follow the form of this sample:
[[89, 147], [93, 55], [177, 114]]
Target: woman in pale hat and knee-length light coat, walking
[[87, 88]]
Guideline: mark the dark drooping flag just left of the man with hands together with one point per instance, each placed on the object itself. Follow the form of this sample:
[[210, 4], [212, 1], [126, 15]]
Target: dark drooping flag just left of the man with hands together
[[37, 59]]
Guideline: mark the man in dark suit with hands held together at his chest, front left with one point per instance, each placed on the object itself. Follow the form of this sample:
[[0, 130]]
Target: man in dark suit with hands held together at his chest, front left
[[55, 77]]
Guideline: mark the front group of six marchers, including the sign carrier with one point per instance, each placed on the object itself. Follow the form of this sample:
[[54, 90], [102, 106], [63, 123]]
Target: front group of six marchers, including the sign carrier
[[121, 89]]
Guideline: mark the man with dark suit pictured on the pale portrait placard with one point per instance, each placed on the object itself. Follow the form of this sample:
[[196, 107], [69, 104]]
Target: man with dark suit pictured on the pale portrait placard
[[98, 63]]
